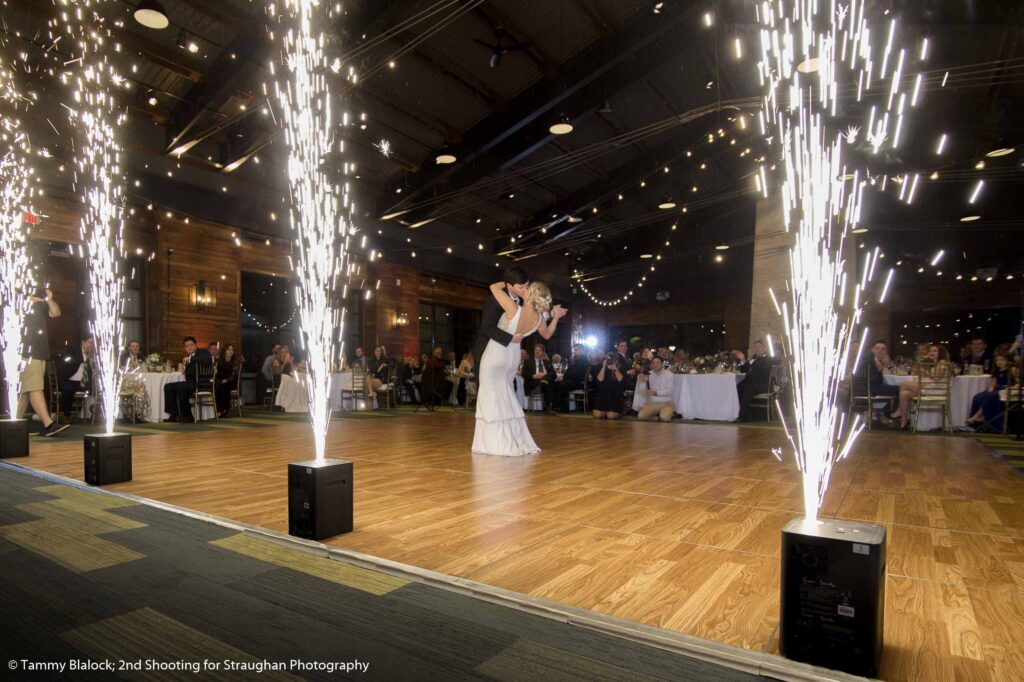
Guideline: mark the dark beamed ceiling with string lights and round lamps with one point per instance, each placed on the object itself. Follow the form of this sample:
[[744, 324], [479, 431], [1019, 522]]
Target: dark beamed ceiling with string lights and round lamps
[[661, 106]]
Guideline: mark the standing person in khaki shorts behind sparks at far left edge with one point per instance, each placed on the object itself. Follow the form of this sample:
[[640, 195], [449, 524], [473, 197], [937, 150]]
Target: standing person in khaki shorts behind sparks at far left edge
[[36, 351]]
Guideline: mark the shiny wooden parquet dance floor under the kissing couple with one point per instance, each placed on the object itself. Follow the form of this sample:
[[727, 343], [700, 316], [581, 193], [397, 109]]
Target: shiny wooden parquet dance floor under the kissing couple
[[672, 526]]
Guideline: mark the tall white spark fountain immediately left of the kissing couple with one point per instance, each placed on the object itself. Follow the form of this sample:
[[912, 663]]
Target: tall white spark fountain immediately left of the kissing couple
[[321, 218]]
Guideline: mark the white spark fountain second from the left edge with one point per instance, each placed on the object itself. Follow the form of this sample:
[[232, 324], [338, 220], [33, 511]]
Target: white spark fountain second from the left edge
[[95, 115]]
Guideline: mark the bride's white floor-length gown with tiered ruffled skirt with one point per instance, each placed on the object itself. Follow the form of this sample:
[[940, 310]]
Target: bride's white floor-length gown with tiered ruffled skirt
[[501, 429]]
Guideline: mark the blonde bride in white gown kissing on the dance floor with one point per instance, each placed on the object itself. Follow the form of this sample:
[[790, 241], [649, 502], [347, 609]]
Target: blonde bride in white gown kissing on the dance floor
[[501, 429]]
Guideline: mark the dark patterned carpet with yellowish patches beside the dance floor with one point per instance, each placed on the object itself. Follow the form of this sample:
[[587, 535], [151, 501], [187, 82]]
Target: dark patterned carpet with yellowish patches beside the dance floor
[[90, 577]]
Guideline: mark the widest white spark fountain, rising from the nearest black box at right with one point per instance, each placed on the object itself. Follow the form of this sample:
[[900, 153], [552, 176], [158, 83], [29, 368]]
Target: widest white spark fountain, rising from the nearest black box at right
[[818, 208]]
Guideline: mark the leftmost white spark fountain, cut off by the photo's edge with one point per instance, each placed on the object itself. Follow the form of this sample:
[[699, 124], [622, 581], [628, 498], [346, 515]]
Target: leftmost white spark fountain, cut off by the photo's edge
[[16, 195]]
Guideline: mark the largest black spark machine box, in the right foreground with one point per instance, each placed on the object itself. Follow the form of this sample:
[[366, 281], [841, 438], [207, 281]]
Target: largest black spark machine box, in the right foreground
[[834, 592]]
